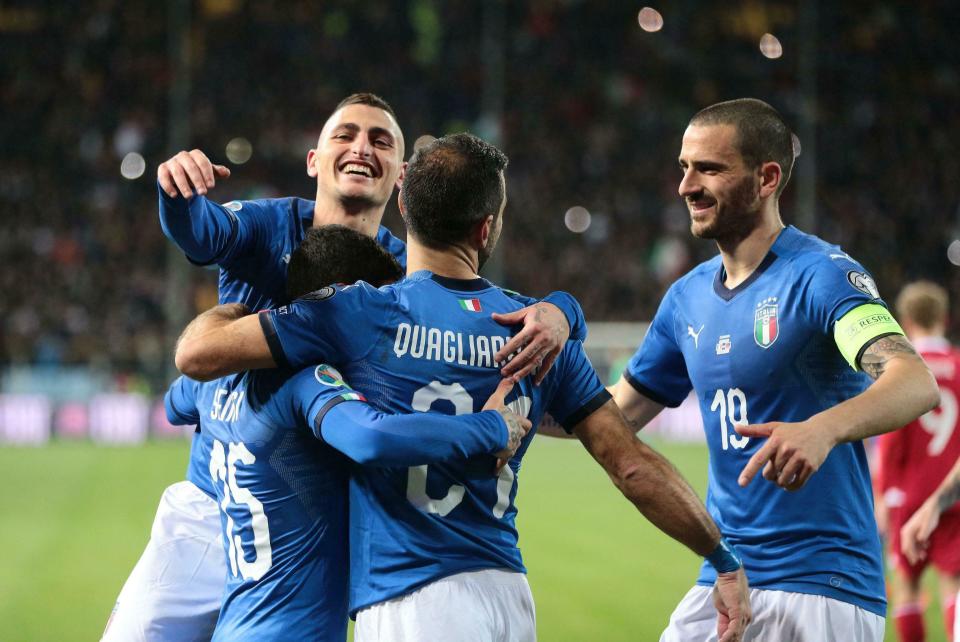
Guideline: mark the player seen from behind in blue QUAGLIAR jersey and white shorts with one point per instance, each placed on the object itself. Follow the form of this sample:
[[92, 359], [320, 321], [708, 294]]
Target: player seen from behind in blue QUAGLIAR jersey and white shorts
[[434, 552]]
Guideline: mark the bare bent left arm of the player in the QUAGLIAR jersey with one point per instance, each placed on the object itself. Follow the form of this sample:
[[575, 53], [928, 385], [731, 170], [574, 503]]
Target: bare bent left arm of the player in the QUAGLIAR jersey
[[223, 340]]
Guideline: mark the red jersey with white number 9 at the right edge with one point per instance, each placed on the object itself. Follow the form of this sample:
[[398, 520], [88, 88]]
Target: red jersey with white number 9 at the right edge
[[915, 459]]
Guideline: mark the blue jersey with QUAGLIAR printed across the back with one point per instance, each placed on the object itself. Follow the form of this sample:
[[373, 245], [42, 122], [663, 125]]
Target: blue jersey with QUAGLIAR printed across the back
[[428, 343]]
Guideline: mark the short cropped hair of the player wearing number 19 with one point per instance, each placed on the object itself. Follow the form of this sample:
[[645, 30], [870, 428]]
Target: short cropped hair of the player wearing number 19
[[762, 134]]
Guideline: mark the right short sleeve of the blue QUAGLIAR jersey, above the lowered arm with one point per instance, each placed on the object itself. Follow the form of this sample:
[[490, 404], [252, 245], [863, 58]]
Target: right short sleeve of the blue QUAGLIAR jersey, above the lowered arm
[[579, 390]]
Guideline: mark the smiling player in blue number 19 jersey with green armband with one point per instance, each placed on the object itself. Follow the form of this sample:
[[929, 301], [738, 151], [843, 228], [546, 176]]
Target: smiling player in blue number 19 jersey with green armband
[[779, 337]]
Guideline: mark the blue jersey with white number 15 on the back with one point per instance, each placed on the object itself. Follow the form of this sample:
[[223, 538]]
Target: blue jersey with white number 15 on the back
[[283, 500]]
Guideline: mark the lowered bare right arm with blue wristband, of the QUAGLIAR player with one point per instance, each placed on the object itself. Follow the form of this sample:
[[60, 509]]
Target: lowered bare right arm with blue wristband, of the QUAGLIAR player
[[661, 494]]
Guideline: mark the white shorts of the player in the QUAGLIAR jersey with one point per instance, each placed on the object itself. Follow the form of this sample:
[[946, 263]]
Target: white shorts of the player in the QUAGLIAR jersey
[[493, 605]]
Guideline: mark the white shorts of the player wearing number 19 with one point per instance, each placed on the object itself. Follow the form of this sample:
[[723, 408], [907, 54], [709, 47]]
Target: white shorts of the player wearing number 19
[[778, 616]]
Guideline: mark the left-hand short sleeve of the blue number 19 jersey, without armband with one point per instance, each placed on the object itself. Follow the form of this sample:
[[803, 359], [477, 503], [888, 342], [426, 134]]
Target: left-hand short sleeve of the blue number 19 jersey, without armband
[[658, 370]]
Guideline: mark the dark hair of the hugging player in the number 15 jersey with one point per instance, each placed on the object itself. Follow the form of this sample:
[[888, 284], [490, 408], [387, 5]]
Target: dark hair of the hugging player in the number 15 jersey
[[336, 254]]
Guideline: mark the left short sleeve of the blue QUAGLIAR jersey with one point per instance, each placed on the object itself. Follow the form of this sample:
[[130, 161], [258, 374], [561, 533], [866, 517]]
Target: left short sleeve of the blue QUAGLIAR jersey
[[332, 324]]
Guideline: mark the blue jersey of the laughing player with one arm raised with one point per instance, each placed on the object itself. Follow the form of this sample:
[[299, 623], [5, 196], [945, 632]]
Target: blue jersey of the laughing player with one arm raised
[[251, 242]]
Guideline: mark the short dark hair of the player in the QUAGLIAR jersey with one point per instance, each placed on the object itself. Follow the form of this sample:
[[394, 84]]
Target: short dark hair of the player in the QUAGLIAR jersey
[[450, 185]]
